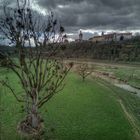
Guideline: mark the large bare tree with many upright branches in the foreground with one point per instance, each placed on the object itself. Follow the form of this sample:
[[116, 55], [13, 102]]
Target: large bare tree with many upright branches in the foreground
[[41, 75]]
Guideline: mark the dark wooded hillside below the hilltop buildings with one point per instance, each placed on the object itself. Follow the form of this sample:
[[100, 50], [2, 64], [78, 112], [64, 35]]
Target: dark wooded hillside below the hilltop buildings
[[126, 51]]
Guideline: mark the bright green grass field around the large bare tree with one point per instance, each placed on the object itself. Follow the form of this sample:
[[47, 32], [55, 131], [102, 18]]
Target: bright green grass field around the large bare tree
[[82, 111]]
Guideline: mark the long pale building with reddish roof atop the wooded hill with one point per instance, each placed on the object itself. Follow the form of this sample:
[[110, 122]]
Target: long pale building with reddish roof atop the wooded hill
[[111, 37]]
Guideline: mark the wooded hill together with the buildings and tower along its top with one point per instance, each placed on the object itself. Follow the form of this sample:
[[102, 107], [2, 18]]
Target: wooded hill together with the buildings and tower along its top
[[112, 47]]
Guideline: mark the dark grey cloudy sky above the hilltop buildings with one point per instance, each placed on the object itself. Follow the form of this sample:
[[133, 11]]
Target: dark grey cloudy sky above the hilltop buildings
[[92, 16]]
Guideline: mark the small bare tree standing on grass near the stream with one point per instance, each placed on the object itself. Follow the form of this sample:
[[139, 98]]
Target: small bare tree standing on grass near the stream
[[83, 70]]
